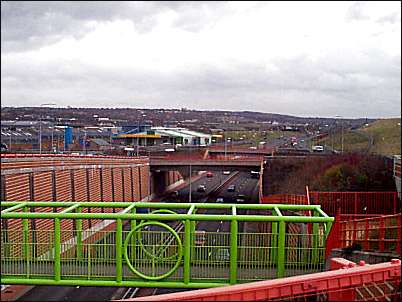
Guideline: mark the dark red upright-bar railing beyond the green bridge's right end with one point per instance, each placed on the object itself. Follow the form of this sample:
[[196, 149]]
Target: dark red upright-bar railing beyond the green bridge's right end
[[356, 202]]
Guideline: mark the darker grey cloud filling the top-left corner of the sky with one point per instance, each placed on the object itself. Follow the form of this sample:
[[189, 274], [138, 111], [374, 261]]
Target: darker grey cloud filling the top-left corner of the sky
[[26, 25]]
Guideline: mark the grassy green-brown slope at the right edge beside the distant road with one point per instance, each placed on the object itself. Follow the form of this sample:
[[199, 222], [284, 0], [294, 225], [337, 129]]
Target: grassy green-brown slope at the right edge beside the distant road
[[380, 137]]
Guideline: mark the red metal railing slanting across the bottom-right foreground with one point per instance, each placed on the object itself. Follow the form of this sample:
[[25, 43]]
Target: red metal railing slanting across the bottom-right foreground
[[346, 282]]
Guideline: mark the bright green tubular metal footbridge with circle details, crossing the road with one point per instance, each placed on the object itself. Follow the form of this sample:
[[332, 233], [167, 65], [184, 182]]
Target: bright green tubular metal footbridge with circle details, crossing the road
[[49, 243]]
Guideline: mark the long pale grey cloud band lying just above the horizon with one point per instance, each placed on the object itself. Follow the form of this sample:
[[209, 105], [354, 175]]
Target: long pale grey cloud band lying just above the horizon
[[296, 86]]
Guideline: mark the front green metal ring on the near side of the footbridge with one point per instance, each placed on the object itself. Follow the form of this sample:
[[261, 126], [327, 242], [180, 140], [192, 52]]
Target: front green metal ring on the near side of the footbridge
[[179, 246]]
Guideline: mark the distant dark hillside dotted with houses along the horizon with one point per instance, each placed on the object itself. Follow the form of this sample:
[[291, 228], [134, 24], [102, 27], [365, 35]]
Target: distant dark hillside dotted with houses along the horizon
[[159, 117]]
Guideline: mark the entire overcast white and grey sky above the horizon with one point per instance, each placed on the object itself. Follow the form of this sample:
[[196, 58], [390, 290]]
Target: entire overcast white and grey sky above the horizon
[[305, 59]]
